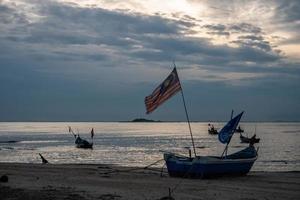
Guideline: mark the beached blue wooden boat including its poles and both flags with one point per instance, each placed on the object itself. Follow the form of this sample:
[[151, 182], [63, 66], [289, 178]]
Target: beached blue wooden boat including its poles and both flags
[[238, 163]]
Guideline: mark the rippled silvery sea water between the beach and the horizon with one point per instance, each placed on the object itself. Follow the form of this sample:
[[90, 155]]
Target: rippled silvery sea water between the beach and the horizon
[[139, 144]]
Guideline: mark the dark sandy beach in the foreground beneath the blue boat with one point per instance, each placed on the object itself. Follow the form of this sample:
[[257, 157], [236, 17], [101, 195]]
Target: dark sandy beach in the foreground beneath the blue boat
[[37, 181]]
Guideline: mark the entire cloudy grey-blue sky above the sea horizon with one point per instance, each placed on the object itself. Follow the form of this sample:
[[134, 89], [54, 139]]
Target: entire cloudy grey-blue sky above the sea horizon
[[96, 60]]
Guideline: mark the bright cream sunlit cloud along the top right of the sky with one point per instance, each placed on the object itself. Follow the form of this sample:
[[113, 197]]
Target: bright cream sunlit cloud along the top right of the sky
[[266, 16]]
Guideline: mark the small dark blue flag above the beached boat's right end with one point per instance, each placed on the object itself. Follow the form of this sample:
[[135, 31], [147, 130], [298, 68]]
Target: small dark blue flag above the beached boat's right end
[[227, 131]]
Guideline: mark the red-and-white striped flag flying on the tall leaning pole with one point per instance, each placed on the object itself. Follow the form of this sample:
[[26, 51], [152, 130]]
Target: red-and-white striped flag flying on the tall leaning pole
[[164, 91]]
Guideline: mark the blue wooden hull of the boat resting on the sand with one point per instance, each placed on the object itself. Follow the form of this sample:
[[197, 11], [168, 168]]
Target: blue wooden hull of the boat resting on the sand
[[208, 166]]
